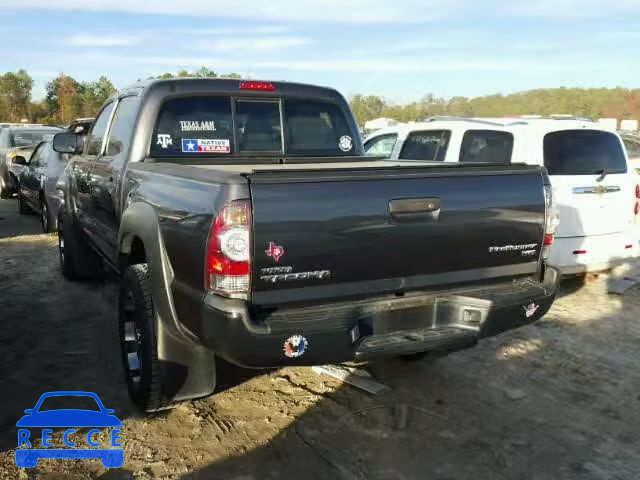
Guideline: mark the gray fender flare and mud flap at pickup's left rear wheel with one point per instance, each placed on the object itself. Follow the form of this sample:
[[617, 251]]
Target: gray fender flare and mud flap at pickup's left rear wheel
[[188, 367]]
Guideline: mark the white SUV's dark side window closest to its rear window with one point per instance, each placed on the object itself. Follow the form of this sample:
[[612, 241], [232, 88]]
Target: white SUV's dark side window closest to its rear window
[[486, 146]]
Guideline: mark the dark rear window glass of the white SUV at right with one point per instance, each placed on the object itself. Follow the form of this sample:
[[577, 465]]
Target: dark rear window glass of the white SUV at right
[[583, 152]]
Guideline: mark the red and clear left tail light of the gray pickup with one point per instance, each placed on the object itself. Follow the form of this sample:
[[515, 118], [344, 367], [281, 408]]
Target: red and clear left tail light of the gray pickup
[[228, 262]]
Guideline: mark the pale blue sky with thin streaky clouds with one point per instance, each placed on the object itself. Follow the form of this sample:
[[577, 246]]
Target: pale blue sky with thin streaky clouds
[[402, 49]]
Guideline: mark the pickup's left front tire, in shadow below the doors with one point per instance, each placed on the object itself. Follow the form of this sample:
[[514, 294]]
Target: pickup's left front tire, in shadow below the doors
[[77, 260]]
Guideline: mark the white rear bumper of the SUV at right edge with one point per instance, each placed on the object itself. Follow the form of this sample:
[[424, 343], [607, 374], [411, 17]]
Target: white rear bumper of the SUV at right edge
[[603, 252]]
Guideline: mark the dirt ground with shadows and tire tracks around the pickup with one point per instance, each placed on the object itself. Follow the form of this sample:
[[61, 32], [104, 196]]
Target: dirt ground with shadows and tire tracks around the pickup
[[556, 400]]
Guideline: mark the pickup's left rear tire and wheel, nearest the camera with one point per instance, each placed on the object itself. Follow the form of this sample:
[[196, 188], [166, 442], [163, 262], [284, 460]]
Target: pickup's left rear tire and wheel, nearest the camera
[[137, 331]]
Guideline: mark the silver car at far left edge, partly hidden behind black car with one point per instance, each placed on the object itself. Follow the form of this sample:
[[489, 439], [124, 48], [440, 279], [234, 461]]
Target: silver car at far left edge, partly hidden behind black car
[[18, 142]]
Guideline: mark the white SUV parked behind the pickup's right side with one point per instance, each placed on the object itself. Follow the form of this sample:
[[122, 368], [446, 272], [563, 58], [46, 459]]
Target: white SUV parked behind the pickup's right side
[[595, 189]]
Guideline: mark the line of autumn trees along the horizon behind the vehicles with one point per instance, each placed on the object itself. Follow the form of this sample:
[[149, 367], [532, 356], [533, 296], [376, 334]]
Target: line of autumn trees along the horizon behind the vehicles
[[67, 98]]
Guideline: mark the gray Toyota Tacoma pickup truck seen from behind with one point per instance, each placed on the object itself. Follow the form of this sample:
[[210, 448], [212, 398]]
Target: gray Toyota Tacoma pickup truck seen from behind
[[245, 224]]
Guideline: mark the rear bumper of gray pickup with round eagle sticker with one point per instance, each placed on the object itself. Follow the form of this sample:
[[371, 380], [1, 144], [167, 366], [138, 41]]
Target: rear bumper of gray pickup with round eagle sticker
[[375, 328]]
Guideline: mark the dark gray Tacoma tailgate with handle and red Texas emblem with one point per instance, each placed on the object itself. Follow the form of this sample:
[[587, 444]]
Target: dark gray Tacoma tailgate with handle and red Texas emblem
[[372, 231]]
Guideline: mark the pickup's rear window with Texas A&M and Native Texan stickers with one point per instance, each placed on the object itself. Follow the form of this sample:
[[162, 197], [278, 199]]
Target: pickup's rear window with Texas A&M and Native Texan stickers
[[221, 126]]
